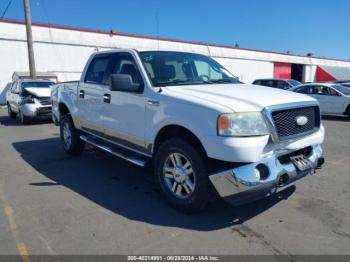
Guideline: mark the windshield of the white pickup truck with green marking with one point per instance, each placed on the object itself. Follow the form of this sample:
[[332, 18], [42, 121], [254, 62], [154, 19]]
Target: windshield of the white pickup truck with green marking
[[176, 68]]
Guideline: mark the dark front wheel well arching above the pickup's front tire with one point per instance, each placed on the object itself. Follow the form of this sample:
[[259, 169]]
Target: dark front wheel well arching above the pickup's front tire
[[172, 131]]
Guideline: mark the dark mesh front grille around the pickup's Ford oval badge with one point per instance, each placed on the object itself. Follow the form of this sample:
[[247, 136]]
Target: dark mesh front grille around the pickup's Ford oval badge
[[286, 124]]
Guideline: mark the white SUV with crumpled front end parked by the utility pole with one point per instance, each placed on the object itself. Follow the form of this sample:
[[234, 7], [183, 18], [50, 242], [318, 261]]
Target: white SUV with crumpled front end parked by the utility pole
[[29, 99]]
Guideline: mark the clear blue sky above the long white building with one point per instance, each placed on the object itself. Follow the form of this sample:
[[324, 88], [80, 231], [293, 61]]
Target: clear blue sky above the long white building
[[321, 27]]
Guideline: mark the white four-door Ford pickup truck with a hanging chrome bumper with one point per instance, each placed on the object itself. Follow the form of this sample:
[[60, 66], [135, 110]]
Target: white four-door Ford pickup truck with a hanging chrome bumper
[[202, 130]]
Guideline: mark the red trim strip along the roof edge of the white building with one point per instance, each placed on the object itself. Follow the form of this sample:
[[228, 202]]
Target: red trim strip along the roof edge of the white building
[[73, 28]]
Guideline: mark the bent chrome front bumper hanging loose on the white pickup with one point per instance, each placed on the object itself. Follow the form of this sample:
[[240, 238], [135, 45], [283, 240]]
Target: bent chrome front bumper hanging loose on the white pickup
[[241, 185]]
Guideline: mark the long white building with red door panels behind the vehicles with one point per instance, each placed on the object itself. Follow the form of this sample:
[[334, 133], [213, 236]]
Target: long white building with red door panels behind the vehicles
[[64, 50]]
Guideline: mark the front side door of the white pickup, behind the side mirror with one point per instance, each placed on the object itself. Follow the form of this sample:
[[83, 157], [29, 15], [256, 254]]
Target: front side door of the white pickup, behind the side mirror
[[124, 112]]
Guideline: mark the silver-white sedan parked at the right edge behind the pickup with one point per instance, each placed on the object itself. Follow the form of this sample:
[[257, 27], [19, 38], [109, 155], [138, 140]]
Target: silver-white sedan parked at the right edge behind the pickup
[[334, 99]]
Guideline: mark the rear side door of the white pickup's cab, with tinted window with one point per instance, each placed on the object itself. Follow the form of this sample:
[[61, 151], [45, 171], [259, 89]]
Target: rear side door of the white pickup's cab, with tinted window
[[90, 95]]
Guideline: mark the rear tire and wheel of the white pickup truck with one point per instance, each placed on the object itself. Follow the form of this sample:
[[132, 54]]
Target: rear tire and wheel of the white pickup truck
[[70, 136]]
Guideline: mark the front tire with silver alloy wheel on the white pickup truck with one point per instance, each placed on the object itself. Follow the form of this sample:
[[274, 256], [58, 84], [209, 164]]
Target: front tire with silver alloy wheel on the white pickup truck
[[182, 175]]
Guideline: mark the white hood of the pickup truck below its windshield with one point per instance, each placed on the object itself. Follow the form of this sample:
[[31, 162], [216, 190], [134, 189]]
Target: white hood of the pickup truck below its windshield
[[238, 97]]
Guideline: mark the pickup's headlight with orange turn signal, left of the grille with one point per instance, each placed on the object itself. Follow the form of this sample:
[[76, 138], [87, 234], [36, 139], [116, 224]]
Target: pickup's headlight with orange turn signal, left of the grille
[[242, 124]]
